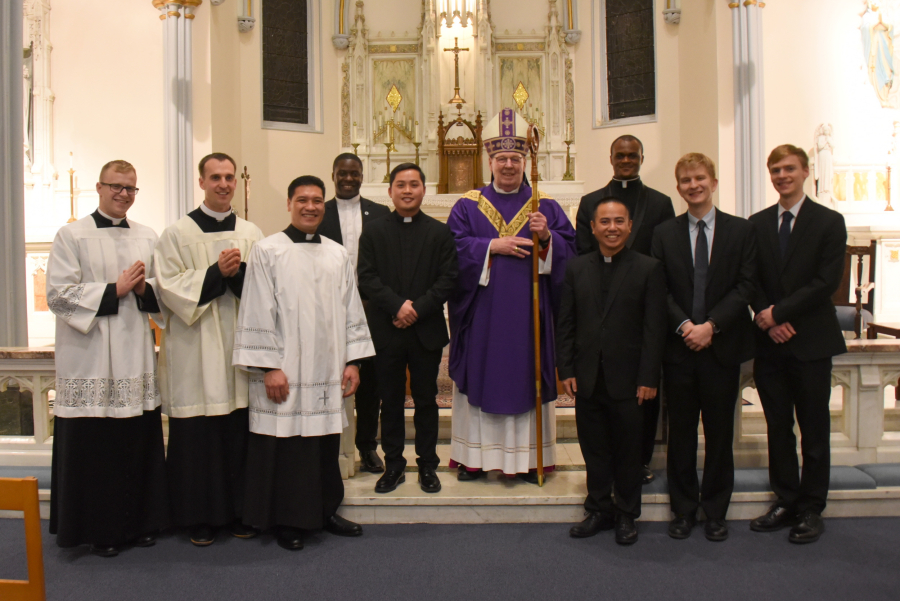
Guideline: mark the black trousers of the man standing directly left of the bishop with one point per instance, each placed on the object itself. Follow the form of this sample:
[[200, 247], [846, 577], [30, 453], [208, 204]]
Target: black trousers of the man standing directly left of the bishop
[[406, 351]]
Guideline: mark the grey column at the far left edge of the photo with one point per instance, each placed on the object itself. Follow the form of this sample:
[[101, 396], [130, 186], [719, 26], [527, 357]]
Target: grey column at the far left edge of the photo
[[13, 316]]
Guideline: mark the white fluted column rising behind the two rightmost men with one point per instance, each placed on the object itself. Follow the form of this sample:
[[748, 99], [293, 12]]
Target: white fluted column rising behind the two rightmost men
[[749, 111]]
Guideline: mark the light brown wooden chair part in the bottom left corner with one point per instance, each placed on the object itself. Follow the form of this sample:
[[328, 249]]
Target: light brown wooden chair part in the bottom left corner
[[20, 494]]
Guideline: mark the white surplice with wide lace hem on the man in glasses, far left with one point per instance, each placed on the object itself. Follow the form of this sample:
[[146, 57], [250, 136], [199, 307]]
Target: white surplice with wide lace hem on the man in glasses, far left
[[105, 366]]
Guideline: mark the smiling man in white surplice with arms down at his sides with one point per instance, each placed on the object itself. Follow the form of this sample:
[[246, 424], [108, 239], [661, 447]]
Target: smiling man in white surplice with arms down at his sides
[[301, 333]]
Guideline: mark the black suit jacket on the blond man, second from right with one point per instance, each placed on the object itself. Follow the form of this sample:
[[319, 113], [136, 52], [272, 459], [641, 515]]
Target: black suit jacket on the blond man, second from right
[[730, 285]]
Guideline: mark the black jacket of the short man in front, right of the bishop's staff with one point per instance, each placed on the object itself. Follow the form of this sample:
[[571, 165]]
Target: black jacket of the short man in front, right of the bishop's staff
[[628, 333]]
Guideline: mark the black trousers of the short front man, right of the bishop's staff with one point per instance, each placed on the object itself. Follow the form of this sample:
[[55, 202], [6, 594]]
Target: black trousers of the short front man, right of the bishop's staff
[[609, 433]]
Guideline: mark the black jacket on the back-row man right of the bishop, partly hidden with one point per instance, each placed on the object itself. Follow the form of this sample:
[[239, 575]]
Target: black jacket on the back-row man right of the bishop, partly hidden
[[652, 208]]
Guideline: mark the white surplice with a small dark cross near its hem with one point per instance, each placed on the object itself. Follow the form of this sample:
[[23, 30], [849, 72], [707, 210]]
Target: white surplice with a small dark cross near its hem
[[300, 313]]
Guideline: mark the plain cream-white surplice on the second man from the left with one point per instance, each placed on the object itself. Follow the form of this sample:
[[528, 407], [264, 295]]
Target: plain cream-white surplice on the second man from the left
[[196, 376]]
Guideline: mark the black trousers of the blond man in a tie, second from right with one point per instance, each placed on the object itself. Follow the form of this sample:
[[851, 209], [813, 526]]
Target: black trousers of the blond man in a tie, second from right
[[700, 385]]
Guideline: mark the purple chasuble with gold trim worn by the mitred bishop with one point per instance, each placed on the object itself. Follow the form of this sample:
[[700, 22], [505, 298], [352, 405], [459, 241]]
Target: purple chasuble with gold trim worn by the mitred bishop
[[492, 345]]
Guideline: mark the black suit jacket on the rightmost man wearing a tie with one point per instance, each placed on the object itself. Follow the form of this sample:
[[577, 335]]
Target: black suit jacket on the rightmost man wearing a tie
[[800, 285]]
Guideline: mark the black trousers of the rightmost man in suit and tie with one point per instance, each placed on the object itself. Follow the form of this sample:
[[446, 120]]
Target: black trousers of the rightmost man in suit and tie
[[787, 385]]
